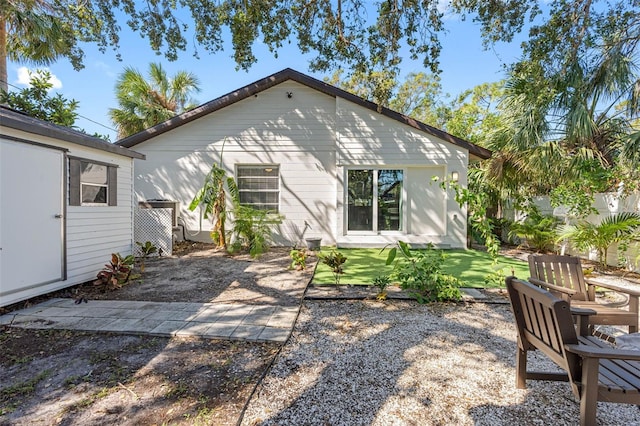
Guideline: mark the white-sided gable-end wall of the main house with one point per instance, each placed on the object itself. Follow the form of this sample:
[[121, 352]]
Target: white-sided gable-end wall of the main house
[[314, 138]]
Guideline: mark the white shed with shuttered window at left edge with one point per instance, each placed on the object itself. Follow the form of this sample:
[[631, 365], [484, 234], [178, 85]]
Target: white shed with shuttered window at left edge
[[66, 204]]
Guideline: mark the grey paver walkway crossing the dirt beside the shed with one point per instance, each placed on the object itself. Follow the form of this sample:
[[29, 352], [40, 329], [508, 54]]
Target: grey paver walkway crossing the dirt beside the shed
[[207, 320]]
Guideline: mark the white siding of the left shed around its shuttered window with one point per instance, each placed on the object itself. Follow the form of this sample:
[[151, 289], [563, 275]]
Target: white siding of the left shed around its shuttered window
[[92, 232]]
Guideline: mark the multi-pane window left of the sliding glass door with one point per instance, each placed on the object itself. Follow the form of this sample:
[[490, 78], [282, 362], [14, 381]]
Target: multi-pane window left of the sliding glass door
[[259, 186]]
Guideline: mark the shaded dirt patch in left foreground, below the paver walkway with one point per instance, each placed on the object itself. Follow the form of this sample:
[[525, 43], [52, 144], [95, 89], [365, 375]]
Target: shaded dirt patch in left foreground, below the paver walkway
[[67, 378]]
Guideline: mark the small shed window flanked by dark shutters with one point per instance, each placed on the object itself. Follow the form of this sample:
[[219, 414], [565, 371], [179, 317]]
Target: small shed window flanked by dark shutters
[[92, 183]]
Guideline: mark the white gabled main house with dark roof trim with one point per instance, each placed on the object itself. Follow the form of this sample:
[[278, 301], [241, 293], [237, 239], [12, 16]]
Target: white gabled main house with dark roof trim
[[335, 165]]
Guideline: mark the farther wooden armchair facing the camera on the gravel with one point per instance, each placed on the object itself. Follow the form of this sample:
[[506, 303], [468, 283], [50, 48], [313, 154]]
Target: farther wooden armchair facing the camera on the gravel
[[562, 276]]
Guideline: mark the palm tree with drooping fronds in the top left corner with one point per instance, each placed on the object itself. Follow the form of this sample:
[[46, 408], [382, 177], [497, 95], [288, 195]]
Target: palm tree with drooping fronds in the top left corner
[[37, 32]]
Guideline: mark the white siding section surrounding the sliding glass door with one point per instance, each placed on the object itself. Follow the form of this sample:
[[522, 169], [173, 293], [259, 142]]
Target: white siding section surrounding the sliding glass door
[[366, 138]]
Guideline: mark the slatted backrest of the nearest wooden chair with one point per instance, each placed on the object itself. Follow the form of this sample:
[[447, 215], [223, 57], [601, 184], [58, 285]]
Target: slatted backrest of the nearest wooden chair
[[545, 323]]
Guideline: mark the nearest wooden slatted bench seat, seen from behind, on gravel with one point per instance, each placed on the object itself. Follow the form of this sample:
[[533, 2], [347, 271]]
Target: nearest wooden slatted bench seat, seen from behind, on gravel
[[595, 371]]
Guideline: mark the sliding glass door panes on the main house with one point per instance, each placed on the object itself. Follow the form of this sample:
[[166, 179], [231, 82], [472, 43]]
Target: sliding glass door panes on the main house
[[374, 200]]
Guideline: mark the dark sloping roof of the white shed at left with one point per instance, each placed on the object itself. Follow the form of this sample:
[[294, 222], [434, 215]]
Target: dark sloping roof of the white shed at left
[[19, 121]]
